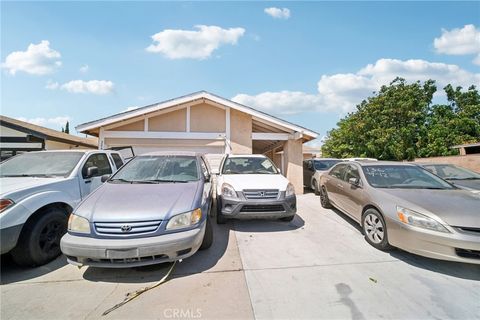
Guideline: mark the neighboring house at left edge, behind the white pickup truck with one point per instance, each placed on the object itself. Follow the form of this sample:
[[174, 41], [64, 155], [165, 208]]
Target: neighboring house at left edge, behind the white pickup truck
[[19, 136]]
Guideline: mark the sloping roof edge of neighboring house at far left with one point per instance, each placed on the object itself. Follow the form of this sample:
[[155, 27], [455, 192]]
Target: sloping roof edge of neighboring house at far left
[[47, 133]]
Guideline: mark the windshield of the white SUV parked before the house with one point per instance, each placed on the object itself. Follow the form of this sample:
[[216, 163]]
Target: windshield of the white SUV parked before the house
[[249, 165]]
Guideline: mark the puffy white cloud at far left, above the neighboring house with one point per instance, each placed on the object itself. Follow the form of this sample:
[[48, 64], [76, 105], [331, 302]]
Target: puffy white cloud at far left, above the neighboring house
[[38, 59]]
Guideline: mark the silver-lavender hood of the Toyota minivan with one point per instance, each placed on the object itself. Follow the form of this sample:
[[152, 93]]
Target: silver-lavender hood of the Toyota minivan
[[114, 202]]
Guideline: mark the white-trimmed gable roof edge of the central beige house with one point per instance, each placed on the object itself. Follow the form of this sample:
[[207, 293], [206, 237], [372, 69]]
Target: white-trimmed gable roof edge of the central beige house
[[86, 127]]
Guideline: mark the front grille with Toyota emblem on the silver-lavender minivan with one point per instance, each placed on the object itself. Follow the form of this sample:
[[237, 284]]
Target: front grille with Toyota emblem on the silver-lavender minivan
[[126, 228]]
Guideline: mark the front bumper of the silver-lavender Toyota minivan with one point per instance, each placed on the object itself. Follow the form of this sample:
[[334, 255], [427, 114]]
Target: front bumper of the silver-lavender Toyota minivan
[[132, 252]]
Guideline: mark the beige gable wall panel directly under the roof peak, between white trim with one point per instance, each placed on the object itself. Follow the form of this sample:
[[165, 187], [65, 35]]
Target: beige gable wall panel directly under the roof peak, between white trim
[[207, 118]]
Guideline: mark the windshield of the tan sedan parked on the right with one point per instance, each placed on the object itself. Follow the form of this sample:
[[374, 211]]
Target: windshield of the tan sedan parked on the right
[[404, 177]]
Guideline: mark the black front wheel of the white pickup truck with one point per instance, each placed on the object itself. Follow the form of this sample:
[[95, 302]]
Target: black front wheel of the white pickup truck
[[39, 241]]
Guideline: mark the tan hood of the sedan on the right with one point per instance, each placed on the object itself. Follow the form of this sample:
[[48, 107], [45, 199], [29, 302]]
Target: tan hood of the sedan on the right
[[458, 208]]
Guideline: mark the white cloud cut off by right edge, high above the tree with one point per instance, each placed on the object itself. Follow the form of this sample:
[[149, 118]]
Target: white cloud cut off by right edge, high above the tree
[[458, 41]]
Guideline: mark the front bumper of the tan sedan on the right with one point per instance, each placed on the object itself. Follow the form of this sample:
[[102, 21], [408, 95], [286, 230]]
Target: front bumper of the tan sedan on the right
[[460, 246]]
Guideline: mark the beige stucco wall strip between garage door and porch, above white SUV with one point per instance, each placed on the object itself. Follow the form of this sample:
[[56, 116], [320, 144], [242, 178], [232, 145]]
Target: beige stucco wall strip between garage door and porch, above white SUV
[[240, 132]]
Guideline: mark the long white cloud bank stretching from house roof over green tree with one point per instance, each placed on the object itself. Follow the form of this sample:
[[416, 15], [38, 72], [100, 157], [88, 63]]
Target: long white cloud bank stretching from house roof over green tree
[[343, 91]]
